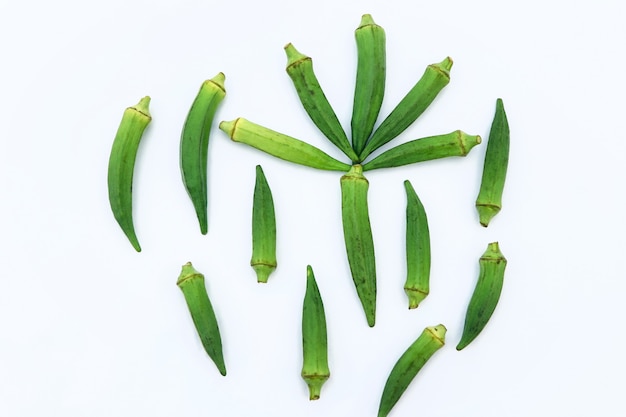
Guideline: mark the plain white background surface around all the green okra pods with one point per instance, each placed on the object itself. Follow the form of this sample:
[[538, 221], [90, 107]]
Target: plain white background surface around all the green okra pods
[[89, 327]]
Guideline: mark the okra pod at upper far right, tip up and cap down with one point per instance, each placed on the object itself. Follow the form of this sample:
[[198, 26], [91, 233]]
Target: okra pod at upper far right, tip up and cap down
[[489, 201]]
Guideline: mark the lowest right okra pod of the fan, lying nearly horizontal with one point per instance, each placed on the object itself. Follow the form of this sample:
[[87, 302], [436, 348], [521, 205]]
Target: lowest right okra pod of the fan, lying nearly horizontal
[[457, 143]]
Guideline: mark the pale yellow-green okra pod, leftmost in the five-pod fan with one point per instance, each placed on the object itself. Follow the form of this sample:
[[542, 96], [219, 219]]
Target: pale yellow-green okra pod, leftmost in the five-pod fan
[[281, 146]]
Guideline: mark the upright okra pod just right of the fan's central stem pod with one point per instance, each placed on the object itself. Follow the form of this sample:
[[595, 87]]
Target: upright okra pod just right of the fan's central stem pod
[[417, 285]]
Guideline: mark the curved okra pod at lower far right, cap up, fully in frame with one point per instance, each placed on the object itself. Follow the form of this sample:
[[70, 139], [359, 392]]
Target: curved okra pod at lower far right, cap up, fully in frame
[[486, 294]]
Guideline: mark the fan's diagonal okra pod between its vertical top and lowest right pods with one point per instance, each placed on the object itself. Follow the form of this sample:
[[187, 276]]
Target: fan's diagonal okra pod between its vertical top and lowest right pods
[[435, 78]]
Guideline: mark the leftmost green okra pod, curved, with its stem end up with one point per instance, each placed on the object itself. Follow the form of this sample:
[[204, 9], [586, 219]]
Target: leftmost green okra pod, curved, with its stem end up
[[122, 165]]
